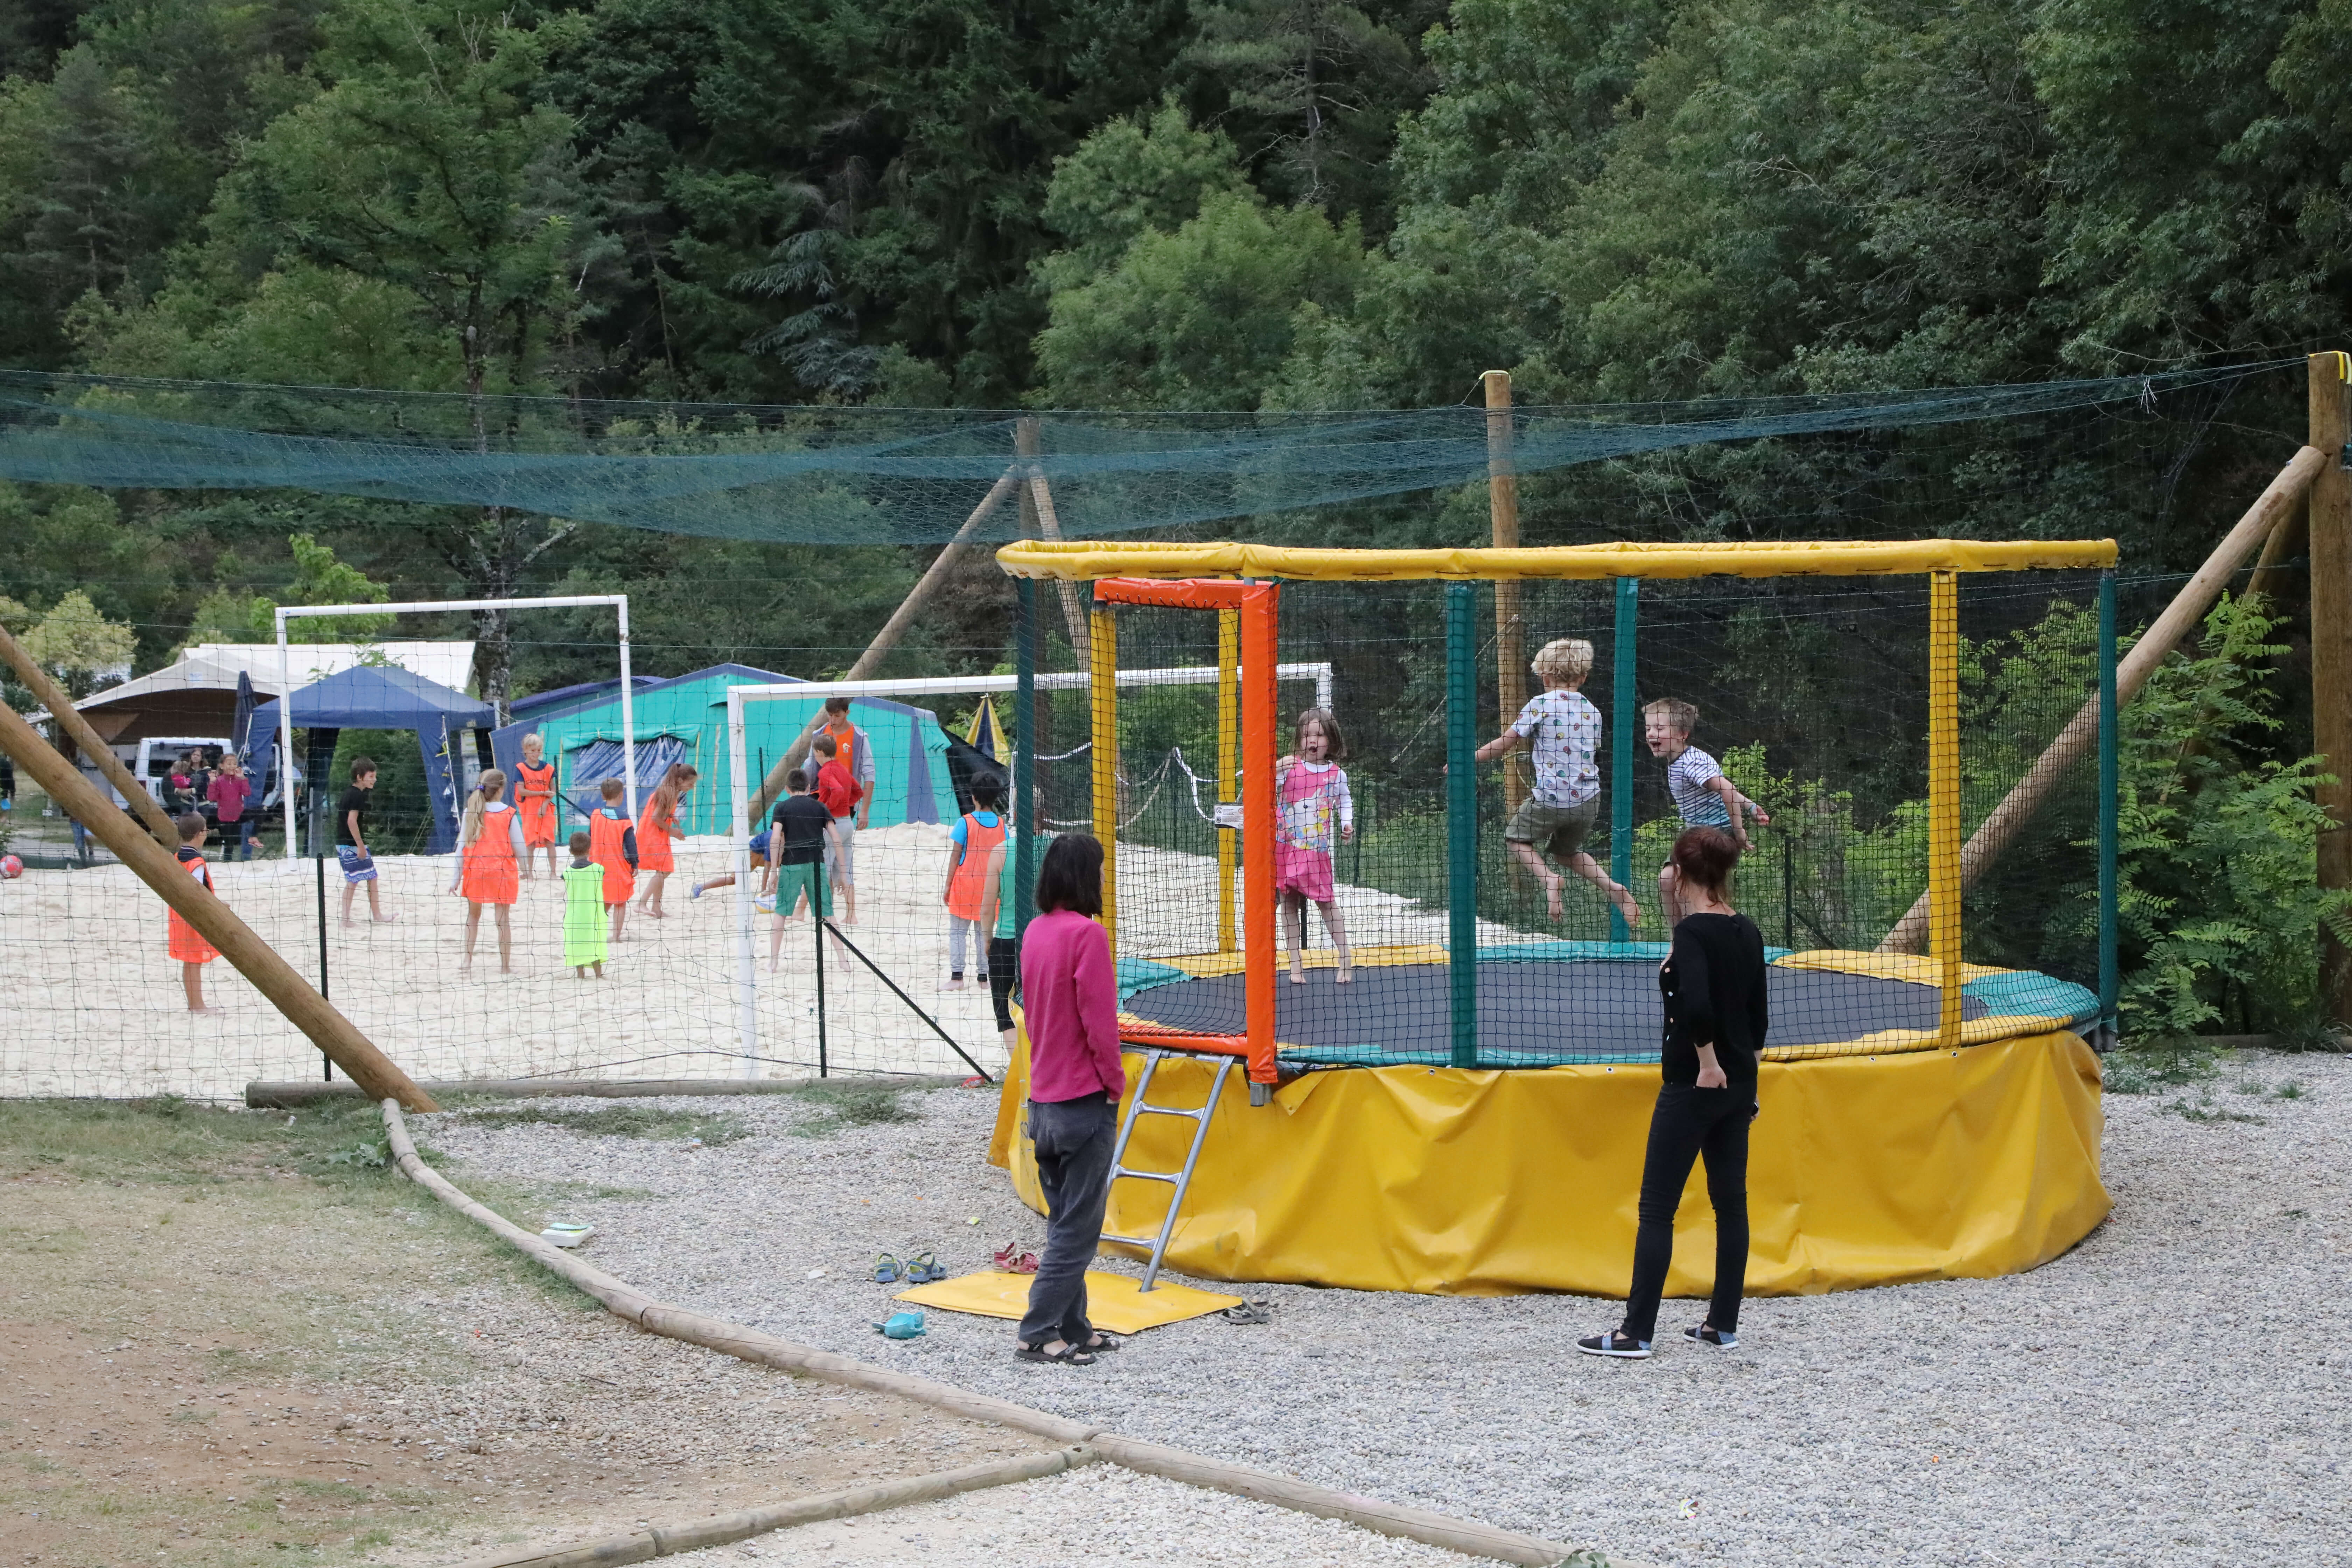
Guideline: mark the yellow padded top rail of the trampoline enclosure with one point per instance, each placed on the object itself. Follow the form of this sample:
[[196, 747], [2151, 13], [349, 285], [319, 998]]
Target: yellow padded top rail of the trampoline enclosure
[[1088, 561]]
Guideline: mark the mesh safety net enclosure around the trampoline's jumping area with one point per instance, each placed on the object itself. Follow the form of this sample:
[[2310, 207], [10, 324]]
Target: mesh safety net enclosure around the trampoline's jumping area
[[1810, 695]]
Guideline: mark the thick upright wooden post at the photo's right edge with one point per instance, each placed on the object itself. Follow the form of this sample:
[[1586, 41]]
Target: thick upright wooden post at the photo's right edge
[[2332, 659]]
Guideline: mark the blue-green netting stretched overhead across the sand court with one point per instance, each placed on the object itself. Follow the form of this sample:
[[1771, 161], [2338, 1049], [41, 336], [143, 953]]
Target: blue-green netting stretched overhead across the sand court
[[918, 476]]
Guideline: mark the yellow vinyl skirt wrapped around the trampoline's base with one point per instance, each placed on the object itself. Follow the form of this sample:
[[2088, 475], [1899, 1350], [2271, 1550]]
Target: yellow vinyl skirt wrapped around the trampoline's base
[[1864, 1172]]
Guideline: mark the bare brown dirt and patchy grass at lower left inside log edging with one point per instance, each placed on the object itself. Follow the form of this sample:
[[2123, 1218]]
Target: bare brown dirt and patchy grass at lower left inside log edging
[[218, 1348]]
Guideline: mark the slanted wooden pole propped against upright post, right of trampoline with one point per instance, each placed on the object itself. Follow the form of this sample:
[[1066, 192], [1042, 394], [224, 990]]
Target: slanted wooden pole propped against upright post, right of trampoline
[[2132, 671]]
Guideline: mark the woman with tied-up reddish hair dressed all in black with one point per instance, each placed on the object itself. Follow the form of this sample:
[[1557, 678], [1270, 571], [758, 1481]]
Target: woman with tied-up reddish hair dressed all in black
[[1713, 986]]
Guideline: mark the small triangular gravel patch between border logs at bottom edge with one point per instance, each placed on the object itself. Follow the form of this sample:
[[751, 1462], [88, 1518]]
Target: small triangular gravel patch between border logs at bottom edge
[[1104, 1517]]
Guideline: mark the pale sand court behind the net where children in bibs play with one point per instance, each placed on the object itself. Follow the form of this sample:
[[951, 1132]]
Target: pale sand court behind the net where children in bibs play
[[93, 1005]]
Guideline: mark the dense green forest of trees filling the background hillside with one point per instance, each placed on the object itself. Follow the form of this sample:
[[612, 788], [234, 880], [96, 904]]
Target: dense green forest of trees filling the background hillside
[[1222, 206]]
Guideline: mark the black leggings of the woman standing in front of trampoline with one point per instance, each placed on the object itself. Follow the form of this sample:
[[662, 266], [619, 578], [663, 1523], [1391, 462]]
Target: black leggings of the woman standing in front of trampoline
[[1690, 1125]]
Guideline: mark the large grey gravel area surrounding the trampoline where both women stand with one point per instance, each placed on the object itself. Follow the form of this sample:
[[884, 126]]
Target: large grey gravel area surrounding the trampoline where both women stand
[[2078, 1414]]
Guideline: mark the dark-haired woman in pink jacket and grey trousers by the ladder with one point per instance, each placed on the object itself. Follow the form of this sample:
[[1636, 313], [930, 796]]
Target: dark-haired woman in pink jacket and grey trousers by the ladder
[[1071, 1005]]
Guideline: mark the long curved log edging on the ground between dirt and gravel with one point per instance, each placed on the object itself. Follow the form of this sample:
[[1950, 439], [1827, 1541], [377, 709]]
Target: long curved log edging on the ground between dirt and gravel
[[1151, 1459]]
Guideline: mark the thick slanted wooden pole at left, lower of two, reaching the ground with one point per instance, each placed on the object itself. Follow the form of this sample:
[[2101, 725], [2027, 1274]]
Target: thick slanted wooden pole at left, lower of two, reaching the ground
[[213, 920]]
